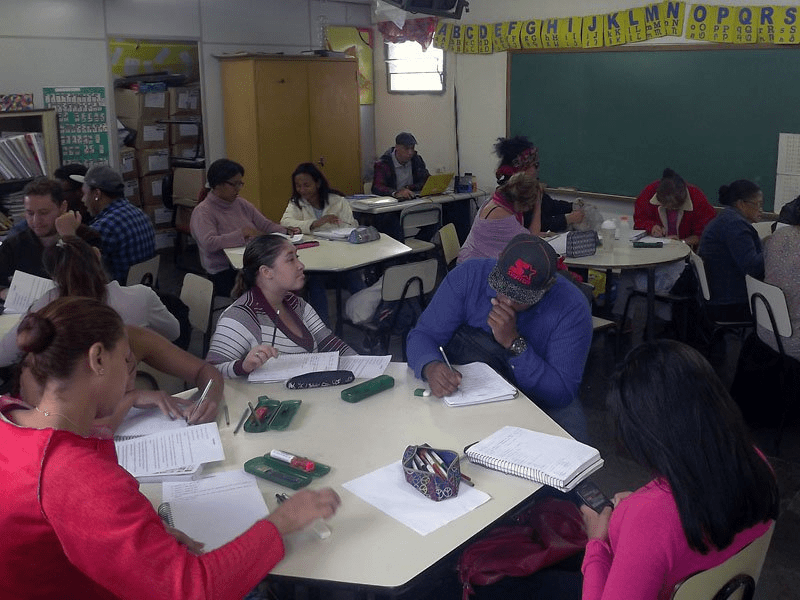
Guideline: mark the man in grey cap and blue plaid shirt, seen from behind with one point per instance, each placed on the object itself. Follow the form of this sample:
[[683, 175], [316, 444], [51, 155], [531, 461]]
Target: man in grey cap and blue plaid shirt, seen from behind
[[127, 234]]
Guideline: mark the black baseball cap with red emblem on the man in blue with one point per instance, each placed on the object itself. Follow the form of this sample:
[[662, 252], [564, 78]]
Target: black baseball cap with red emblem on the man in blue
[[526, 269]]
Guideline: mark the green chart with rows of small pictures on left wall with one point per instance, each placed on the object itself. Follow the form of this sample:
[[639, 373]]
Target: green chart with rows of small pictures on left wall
[[82, 123]]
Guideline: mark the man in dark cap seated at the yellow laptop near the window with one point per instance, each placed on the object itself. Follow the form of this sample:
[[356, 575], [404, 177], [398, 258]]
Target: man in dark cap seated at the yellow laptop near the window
[[400, 172]]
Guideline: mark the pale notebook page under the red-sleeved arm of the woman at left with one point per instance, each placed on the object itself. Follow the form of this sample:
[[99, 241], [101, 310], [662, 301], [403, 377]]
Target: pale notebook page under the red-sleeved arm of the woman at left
[[215, 509]]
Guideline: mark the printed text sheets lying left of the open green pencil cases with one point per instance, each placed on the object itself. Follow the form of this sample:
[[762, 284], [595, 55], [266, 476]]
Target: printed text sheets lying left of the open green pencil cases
[[176, 453]]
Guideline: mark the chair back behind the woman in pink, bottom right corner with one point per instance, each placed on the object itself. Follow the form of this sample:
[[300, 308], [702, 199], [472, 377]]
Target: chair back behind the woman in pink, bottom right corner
[[735, 578]]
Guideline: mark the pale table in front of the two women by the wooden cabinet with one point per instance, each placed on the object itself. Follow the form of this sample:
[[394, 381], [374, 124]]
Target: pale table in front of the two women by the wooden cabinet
[[337, 257]]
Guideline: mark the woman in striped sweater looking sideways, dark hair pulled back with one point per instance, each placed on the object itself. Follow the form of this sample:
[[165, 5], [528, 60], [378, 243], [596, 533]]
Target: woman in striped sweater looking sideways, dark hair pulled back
[[269, 318]]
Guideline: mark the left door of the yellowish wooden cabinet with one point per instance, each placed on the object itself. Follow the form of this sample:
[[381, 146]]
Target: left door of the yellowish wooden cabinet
[[283, 130]]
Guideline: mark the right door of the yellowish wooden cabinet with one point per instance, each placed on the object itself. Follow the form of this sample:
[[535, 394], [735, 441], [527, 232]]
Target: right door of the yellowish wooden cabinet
[[335, 123]]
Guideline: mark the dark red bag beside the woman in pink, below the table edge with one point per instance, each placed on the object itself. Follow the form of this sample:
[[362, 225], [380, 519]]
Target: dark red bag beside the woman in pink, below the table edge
[[544, 534]]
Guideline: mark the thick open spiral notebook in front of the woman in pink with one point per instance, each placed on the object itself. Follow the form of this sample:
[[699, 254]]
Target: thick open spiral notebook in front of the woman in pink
[[551, 460]]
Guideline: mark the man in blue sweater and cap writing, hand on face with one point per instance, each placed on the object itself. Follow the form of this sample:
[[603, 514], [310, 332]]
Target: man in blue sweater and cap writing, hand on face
[[517, 315]]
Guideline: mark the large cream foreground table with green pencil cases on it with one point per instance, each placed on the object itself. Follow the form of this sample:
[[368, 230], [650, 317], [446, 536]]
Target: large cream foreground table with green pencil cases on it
[[367, 547]]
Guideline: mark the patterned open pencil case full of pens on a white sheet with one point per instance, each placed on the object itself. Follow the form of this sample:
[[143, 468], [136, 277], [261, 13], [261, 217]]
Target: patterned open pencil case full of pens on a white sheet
[[439, 484]]
